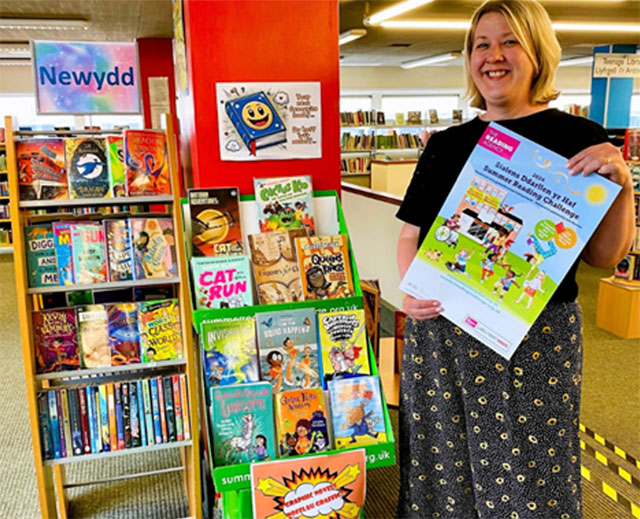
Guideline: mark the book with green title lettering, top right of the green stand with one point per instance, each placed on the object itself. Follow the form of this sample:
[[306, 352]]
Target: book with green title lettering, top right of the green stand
[[284, 203]]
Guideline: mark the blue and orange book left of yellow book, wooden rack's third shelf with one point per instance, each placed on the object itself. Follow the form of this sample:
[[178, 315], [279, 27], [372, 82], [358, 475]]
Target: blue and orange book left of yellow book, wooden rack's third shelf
[[124, 335]]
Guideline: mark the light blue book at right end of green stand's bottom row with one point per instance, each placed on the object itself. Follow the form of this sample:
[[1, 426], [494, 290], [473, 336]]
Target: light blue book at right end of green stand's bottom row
[[356, 411]]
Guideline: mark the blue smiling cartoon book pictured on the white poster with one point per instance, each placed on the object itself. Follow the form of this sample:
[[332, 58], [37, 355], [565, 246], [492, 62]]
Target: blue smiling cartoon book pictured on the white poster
[[256, 121]]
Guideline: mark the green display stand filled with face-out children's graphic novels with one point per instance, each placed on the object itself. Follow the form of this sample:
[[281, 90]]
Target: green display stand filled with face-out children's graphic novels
[[300, 338]]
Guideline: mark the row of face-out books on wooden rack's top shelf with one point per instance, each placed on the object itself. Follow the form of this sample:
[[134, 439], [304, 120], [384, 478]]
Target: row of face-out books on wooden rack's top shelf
[[133, 164]]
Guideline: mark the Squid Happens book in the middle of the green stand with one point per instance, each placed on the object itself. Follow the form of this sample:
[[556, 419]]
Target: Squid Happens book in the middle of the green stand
[[288, 349]]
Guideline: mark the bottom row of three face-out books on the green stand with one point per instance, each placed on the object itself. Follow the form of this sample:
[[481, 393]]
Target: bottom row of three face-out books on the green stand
[[251, 423]]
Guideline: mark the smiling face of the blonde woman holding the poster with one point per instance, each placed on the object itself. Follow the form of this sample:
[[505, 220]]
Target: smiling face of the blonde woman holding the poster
[[500, 68]]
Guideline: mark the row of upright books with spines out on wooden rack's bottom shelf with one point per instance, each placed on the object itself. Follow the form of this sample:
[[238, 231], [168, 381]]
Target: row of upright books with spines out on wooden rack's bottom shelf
[[92, 419]]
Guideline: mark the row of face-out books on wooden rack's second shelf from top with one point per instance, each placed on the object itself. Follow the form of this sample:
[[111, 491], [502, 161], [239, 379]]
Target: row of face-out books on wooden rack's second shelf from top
[[87, 252]]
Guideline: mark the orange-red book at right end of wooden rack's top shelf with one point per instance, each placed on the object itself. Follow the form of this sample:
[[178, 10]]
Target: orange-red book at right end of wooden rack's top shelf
[[146, 163]]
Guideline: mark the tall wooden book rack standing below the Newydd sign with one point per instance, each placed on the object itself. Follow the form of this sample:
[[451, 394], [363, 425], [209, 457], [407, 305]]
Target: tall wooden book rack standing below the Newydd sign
[[79, 388]]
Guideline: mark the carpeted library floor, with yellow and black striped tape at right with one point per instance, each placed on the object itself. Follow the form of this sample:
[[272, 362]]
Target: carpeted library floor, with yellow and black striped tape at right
[[610, 415]]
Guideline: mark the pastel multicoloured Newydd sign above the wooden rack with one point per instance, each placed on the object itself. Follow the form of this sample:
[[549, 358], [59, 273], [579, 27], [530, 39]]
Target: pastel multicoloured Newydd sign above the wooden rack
[[87, 57]]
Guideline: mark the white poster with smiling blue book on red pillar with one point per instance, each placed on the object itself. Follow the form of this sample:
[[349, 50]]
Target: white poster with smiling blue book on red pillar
[[269, 121]]
